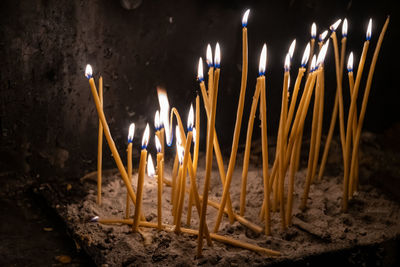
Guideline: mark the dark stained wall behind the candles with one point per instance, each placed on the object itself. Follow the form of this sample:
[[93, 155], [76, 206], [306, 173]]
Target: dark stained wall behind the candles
[[48, 120]]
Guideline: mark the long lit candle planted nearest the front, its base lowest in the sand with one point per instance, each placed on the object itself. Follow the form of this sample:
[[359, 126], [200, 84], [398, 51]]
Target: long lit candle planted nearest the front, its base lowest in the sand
[[209, 154]]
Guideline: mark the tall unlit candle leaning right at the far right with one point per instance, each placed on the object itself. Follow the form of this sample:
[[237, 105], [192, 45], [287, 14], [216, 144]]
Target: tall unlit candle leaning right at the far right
[[366, 95]]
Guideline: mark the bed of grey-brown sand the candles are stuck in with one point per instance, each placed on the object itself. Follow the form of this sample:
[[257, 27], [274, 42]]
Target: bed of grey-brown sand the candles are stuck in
[[372, 218]]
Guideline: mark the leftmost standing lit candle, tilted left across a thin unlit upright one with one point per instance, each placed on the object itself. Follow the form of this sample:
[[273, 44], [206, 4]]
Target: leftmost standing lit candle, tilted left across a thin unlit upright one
[[108, 136]]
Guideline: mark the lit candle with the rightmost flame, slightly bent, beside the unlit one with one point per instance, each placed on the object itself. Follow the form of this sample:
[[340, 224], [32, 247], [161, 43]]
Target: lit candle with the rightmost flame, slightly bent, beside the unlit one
[[353, 105]]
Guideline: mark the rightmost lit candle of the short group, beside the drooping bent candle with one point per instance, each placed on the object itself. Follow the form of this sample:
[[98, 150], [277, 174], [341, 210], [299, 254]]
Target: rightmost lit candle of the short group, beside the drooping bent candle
[[185, 165]]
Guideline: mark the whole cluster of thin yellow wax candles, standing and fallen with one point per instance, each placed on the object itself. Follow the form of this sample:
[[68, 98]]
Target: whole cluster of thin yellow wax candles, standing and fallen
[[289, 140]]
